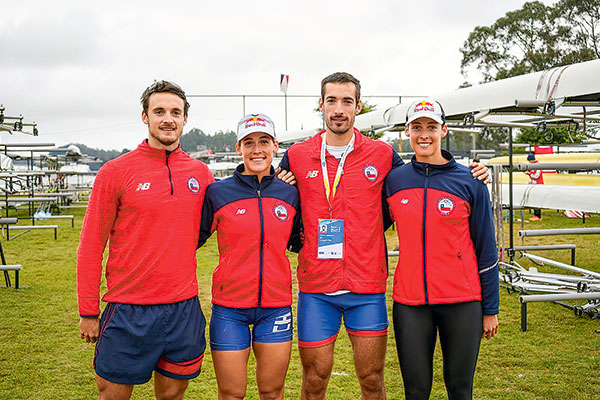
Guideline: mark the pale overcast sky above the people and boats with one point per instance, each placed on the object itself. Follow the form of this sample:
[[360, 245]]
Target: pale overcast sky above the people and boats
[[78, 68]]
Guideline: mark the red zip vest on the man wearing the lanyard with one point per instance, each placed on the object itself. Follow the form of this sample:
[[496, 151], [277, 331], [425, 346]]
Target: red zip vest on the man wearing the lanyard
[[357, 201]]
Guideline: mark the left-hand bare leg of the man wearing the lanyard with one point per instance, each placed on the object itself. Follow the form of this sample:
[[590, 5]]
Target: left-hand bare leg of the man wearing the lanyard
[[317, 363]]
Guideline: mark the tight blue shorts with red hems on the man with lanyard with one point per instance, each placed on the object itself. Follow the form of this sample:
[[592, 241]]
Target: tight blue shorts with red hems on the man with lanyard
[[320, 316]]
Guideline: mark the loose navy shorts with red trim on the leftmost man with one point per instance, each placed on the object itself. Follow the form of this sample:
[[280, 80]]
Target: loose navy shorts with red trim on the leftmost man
[[138, 339]]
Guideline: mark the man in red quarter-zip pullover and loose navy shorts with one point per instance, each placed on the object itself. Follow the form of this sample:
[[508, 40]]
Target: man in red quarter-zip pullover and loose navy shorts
[[147, 204]]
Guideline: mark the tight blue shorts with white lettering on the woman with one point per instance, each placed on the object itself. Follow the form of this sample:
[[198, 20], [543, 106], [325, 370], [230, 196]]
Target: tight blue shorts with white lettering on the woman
[[230, 327]]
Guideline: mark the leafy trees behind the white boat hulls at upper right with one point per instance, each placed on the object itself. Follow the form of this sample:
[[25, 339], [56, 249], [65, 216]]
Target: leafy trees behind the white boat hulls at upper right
[[533, 38]]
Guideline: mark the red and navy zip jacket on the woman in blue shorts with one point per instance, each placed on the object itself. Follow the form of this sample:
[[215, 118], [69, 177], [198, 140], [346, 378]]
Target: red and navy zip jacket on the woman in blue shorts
[[253, 221]]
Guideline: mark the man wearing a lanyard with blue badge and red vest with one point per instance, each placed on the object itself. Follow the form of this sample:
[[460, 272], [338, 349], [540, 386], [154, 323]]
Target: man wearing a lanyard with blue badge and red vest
[[342, 267]]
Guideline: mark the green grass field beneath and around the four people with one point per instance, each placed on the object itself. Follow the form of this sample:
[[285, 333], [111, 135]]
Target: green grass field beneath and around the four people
[[42, 357]]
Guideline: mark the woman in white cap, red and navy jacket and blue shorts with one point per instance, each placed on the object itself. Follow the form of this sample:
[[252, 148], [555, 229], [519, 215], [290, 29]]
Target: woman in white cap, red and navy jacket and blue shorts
[[253, 213]]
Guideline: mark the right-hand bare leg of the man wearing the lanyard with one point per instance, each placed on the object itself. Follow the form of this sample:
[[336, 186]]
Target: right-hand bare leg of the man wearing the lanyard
[[369, 362]]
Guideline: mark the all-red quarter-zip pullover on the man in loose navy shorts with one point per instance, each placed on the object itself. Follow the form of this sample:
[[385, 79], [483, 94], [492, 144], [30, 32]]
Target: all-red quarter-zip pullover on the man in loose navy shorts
[[148, 202]]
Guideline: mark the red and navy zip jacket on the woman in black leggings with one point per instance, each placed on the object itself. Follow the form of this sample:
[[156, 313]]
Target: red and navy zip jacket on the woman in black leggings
[[447, 246]]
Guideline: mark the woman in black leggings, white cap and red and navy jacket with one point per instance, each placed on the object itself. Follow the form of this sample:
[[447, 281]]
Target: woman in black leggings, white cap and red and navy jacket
[[446, 280]]
